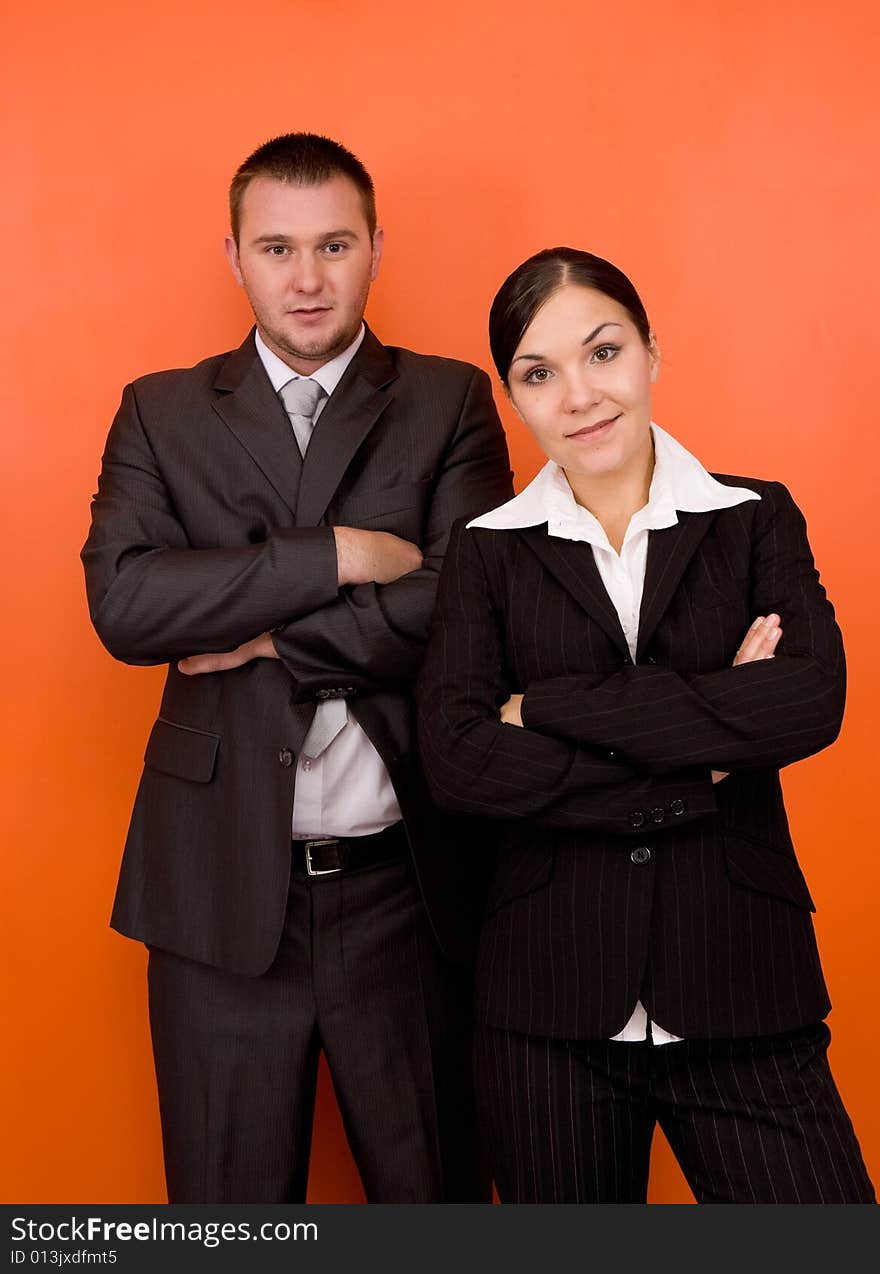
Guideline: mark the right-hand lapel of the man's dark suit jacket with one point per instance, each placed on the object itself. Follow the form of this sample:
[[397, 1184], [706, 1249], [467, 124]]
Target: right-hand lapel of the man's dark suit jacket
[[353, 410]]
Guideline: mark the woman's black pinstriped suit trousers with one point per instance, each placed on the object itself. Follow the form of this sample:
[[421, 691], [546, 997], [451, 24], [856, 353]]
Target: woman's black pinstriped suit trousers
[[751, 1120]]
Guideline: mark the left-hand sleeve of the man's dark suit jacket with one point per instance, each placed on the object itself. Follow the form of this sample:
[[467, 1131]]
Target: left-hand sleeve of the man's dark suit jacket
[[153, 598]]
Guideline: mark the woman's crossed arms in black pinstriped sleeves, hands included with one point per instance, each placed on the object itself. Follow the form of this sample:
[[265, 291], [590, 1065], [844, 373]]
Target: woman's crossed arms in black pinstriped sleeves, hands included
[[595, 747]]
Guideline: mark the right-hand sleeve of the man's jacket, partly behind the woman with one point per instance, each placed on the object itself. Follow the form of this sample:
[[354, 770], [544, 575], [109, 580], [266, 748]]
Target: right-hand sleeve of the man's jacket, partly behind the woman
[[374, 636]]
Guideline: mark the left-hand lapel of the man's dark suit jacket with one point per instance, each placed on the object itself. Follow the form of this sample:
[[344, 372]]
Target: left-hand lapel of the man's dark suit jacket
[[252, 410]]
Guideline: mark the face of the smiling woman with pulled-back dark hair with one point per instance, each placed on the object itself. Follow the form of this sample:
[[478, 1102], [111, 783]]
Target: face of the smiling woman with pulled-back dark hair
[[581, 380]]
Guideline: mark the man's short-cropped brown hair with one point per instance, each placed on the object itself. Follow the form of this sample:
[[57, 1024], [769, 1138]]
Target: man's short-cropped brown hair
[[302, 160]]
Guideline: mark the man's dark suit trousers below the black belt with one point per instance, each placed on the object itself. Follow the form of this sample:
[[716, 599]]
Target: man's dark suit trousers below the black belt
[[360, 977]]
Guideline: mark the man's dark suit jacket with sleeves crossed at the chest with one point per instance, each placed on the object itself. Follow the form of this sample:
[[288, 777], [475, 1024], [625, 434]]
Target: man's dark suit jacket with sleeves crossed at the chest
[[209, 529]]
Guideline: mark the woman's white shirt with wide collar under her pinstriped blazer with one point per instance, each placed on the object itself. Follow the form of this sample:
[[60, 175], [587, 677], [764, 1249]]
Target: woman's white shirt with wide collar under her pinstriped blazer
[[679, 482]]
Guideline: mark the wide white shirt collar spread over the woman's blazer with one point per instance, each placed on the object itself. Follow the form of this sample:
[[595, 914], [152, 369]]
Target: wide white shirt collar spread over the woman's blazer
[[679, 482]]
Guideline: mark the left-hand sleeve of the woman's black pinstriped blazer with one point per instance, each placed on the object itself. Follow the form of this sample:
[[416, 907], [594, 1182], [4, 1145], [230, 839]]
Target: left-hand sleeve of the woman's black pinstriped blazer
[[477, 765]]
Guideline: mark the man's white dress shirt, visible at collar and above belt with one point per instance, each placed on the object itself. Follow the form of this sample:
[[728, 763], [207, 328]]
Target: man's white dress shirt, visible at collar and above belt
[[347, 791]]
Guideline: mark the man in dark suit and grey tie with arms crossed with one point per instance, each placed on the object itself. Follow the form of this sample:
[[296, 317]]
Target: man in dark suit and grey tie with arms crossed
[[271, 523]]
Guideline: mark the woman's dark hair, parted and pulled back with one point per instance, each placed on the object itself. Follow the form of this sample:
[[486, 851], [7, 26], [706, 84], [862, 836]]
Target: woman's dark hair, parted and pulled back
[[533, 283]]
